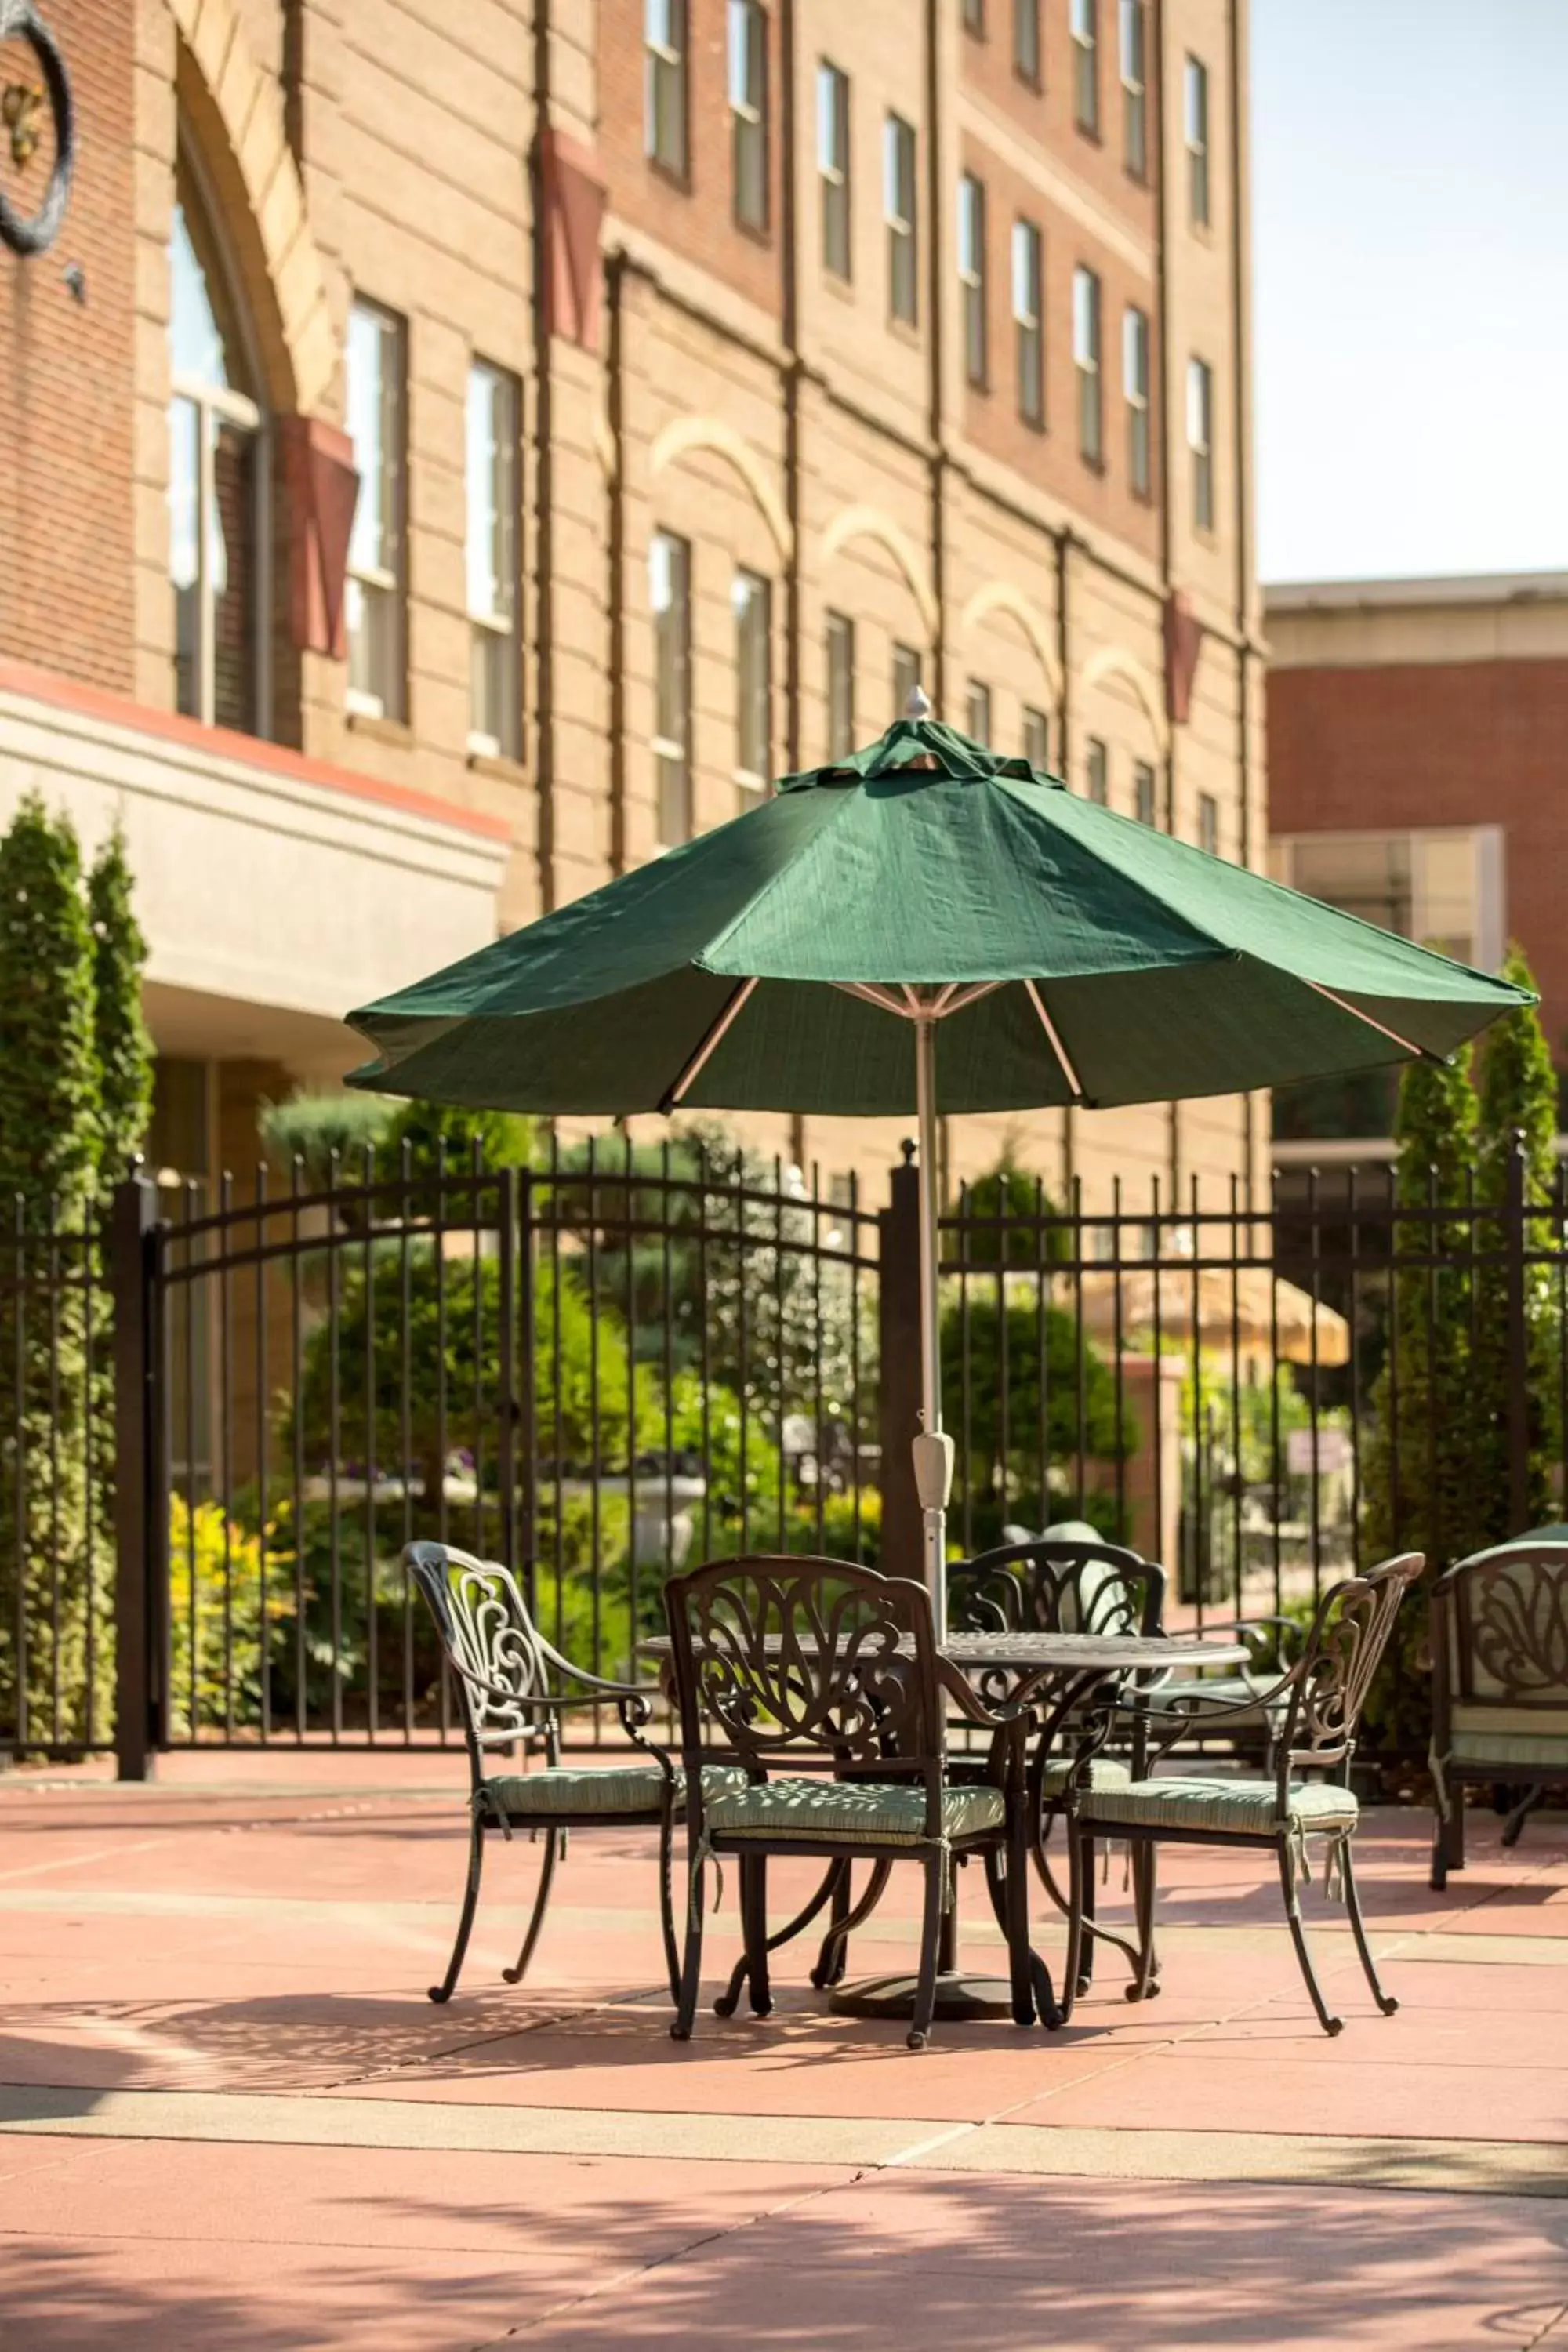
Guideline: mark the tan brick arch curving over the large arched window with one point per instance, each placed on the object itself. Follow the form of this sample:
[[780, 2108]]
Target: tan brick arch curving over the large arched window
[[236, 116]]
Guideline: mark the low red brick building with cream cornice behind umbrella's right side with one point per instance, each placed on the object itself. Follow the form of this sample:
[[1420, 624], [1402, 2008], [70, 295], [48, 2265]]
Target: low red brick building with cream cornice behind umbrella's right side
[[1419, 775]]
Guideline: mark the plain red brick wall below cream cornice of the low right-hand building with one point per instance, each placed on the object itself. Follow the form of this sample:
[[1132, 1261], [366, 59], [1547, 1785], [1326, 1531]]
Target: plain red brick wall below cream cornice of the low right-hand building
[[1440, 744]]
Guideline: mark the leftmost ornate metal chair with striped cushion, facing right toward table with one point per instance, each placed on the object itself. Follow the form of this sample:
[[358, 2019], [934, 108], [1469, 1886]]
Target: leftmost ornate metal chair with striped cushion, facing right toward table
[[511, 1692]]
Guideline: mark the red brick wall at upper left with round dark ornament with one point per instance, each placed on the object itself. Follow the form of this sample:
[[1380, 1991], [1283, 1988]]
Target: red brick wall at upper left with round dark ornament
[[67, 530]]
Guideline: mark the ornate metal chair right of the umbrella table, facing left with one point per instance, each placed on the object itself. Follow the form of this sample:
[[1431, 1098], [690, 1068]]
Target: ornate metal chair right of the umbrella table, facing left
[[1327, 1692]]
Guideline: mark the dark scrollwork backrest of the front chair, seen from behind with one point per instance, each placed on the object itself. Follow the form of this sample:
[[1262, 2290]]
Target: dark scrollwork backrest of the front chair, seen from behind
[[808, 1662]]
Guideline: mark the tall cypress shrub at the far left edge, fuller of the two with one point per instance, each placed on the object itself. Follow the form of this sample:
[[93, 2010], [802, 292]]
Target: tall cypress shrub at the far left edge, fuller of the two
[[55, 1563]]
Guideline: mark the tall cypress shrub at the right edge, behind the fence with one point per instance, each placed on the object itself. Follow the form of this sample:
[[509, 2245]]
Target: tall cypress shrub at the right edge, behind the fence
[[1517, 1114]]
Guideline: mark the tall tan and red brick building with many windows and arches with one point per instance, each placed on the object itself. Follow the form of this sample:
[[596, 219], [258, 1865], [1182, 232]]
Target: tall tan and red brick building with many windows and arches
[[455, 453]]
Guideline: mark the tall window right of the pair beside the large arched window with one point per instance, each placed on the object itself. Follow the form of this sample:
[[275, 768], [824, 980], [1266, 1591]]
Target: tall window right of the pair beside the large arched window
[[495, 714]]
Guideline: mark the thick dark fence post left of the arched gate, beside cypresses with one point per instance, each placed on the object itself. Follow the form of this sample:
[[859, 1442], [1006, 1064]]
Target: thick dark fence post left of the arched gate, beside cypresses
[[140, 1535]]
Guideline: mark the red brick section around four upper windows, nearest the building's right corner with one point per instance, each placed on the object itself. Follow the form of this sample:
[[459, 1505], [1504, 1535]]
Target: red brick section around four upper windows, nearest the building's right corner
[[991, 417]]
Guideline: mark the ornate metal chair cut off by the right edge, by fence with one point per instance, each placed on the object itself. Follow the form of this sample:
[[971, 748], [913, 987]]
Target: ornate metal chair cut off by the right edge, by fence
[[1499, 1688]]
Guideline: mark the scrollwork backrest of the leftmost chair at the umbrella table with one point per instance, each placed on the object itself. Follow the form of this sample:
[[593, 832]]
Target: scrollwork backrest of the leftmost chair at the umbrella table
[[490, 1641]]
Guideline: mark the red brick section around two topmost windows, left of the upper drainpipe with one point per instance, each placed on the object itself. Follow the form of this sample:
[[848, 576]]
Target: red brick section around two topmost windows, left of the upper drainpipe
[[697, 220]]
